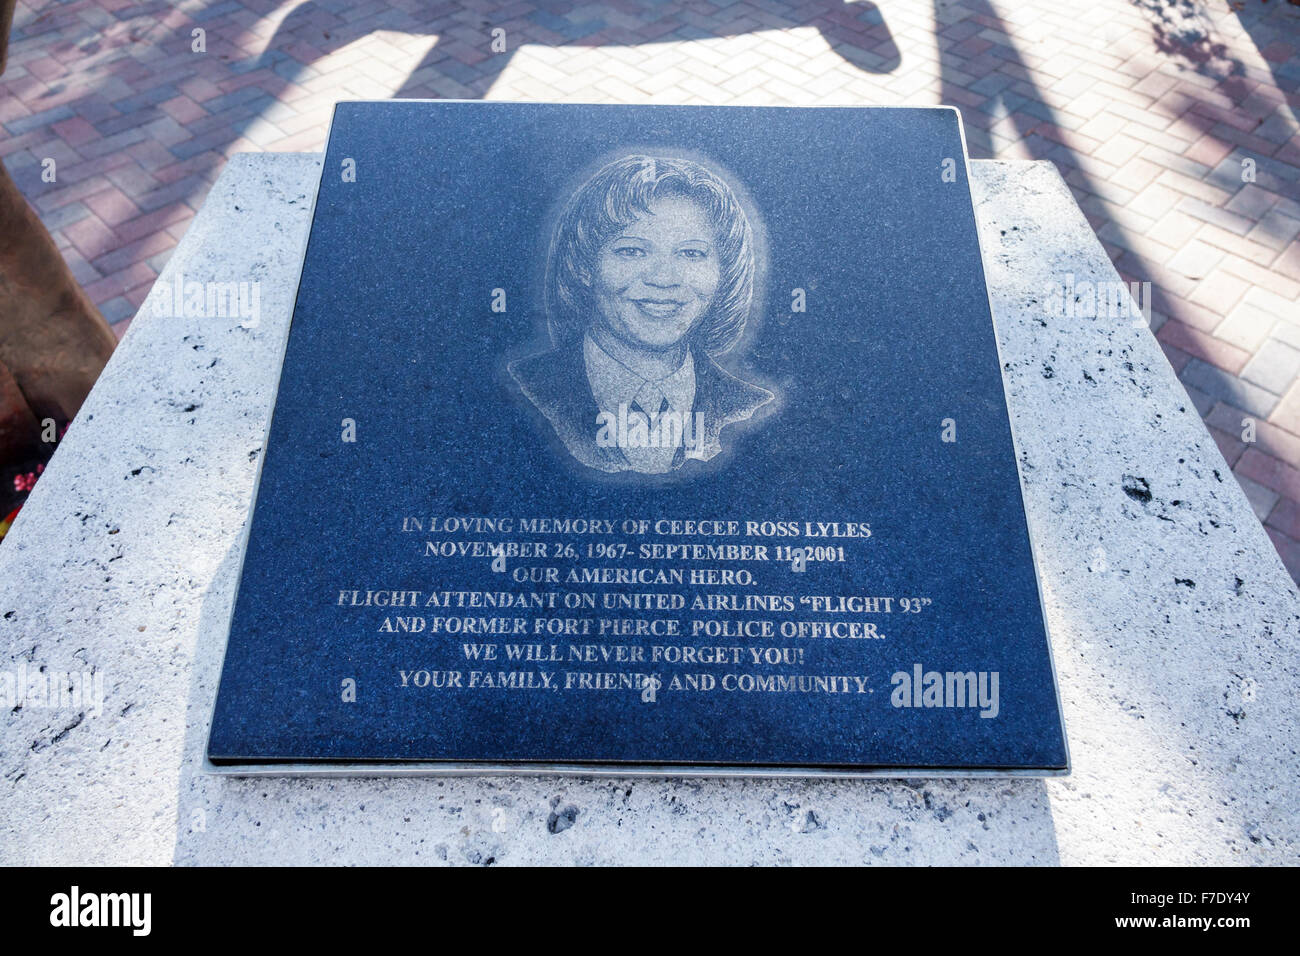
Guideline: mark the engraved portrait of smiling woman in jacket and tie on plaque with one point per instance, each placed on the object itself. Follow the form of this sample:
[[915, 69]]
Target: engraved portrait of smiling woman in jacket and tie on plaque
[[649, 278]]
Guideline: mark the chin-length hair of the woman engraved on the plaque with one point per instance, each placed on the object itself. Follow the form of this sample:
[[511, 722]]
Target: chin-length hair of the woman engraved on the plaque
[[622, 193]]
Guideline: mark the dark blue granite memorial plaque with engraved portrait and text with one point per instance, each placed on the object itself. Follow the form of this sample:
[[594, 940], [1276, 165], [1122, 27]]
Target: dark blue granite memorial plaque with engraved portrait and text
[[640, 440]]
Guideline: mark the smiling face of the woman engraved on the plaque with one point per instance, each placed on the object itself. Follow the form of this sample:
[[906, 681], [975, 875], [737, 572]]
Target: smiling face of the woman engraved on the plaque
[[656, 279]]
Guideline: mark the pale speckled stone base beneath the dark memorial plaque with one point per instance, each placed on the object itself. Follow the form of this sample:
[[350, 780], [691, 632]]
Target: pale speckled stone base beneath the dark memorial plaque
[[1176, 628]]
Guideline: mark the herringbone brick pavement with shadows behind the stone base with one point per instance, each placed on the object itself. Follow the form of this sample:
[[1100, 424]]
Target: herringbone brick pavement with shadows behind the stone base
[[1152, 110]]
